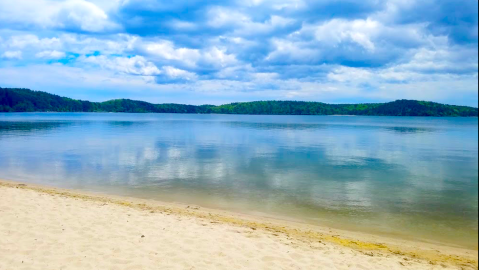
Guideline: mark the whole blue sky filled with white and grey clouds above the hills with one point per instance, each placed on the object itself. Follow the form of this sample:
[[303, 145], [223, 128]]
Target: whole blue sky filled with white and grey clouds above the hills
[[216, 52]]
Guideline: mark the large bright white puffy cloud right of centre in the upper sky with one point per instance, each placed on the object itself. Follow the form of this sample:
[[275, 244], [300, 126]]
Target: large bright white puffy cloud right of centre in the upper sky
[[349, 42]]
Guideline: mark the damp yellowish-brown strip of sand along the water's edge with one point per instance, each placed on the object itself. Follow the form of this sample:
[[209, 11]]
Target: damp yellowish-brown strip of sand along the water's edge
[[302, 234]]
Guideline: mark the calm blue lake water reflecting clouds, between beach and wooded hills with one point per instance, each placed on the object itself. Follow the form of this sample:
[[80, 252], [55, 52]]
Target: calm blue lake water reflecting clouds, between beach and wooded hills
[[408, 177]]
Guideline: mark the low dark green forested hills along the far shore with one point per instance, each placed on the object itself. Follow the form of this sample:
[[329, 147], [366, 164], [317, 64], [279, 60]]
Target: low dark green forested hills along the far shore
[[24, 100]]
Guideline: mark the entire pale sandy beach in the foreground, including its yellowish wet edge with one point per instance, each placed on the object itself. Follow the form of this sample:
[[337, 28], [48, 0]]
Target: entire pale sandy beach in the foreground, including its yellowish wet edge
[[46, 228]]
